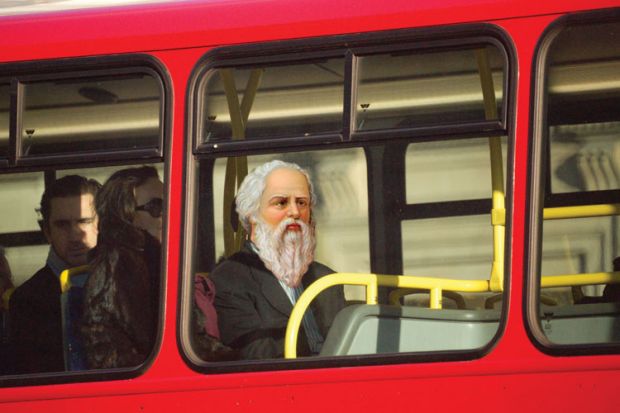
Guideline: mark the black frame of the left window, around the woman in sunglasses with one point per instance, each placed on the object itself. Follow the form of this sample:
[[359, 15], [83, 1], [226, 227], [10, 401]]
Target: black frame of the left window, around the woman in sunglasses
[[47, 165]]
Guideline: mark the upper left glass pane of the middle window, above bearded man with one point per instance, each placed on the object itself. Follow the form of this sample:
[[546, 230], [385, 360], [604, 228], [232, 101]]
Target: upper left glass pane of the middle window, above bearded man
[[277, 101]]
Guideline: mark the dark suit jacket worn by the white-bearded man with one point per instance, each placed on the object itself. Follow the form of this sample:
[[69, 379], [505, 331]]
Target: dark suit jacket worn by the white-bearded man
[[253, 309]]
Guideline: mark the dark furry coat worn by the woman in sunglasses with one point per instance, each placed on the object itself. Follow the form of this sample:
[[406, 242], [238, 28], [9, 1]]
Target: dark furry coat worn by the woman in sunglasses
[[121, 301]]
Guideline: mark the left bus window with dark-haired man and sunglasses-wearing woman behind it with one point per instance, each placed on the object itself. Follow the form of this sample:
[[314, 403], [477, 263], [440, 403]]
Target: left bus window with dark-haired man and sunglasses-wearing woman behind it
[[100, 123]]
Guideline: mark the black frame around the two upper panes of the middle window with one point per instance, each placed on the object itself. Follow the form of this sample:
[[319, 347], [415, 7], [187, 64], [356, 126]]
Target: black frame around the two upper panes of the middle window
[[350, 47]]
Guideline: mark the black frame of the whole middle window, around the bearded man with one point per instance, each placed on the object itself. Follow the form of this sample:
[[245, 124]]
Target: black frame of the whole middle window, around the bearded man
[[197, 153]]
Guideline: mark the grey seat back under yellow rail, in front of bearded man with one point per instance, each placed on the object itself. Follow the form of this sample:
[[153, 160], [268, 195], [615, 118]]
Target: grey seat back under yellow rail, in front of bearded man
[[373, 329]]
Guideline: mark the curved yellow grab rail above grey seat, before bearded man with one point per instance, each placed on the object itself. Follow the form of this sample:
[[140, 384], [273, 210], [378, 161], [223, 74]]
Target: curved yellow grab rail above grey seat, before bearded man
[[372, 283]]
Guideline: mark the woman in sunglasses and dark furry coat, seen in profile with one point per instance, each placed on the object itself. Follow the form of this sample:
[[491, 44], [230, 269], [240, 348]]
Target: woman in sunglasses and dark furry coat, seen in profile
[[121, 294]]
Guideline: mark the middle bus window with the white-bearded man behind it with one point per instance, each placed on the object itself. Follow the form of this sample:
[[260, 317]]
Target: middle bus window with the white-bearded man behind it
[[399, 210]]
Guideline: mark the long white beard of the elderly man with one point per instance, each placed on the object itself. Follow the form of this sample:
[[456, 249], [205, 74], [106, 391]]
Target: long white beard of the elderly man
[[287, 254]]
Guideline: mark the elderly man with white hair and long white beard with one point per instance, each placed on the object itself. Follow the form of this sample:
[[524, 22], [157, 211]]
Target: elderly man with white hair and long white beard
[[257, 287]]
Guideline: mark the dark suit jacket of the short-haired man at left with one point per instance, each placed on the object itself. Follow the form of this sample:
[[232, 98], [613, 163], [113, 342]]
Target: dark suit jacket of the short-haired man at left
[[35, 324]]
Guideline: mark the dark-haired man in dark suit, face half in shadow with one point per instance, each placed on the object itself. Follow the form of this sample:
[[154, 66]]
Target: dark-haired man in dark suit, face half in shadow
[[69, 223]]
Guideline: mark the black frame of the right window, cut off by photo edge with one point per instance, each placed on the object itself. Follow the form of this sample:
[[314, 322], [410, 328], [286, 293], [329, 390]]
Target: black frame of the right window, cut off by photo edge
[[539, 193]]
